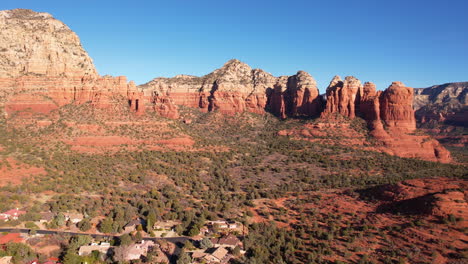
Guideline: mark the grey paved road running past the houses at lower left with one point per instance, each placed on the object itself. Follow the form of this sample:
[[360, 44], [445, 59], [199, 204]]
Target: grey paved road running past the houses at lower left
[[51, 232]]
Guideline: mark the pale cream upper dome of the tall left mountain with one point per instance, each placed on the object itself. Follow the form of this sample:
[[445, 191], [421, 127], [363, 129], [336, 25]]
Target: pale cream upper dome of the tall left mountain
[[36, 44]]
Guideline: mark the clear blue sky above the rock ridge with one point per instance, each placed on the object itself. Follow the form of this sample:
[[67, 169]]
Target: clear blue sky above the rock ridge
[[418, 42]]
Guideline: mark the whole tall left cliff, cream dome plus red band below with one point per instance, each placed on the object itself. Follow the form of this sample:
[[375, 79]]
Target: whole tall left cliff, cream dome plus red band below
[[43, 66]]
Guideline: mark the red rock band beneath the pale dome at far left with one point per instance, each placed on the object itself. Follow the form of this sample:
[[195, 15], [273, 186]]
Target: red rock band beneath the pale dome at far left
[[43, 93]]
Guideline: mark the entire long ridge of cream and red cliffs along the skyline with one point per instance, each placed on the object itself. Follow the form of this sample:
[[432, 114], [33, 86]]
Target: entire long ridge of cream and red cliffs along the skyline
[[43, 67]]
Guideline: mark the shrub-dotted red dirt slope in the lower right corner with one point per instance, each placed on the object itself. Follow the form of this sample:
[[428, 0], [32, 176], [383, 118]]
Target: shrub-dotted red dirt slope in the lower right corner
[[373, 231]]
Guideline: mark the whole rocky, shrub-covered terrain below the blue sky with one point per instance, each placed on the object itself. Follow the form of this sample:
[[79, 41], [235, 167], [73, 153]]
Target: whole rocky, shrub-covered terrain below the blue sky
[[350, 176]]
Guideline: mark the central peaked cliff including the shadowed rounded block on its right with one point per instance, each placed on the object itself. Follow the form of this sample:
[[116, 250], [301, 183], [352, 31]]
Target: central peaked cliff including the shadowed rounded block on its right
[[235, 88]]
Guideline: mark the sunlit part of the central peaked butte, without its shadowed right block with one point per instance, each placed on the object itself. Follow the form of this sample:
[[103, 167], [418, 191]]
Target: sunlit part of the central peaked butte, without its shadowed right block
[[232, 89]]
